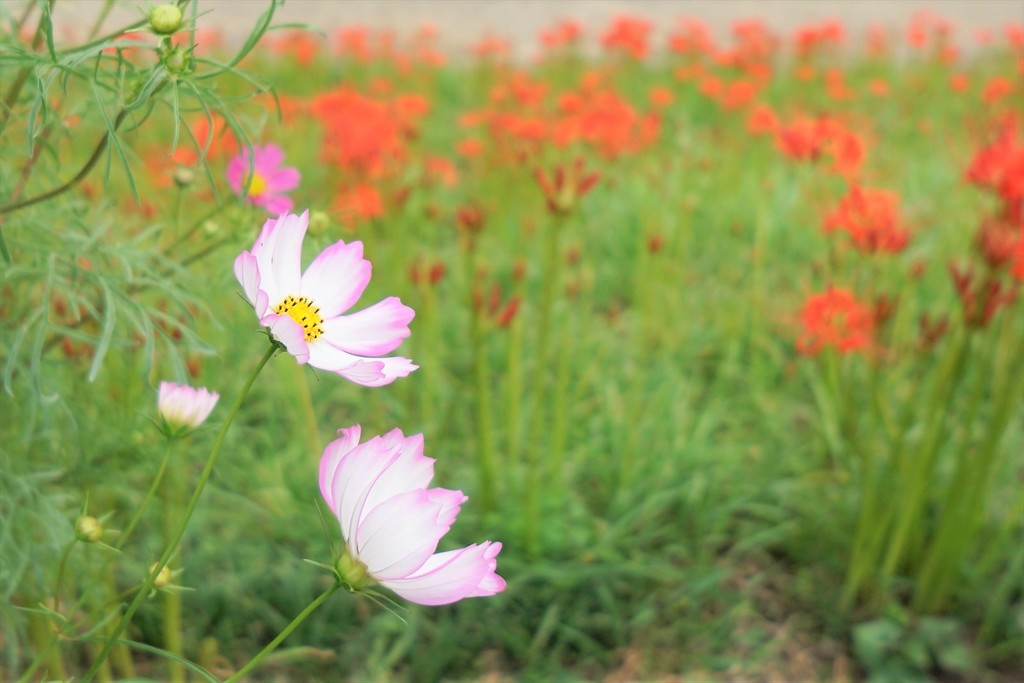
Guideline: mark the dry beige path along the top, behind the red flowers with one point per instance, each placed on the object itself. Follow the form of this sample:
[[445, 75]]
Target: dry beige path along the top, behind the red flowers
[[460, 23]]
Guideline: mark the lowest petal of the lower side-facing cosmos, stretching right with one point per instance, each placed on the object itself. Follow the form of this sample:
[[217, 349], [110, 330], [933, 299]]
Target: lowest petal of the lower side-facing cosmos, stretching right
[[452, 576]]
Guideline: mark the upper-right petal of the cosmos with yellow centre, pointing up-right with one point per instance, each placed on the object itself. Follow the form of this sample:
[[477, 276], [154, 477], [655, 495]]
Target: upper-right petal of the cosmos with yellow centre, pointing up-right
[[337, 278]]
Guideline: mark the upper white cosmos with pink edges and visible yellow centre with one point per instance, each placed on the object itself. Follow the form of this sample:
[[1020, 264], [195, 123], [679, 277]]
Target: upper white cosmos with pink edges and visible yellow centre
[[304, 310]]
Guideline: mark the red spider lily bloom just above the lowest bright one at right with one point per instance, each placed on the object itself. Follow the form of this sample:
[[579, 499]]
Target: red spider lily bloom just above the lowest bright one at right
[[872, 220]]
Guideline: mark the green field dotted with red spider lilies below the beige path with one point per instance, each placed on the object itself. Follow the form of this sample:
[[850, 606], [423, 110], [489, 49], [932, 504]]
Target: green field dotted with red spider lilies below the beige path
[[722, 339]]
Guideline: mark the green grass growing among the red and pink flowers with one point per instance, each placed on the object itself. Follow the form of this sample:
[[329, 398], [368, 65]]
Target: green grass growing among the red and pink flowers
[[697, 516]]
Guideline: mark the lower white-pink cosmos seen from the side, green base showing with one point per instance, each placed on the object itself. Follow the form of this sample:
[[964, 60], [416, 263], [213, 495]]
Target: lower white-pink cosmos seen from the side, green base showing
[[392, 523]]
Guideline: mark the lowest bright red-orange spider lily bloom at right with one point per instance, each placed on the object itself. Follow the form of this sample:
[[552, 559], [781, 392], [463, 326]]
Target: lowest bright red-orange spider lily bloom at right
[[836, 320]]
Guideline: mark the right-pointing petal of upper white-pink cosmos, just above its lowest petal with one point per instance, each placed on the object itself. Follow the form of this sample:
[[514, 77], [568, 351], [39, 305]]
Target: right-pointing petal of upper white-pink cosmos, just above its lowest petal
[[374, 331]]
